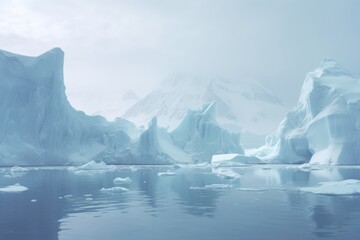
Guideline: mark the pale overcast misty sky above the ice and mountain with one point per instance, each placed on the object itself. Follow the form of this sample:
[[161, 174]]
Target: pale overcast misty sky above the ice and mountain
[[112, 46]]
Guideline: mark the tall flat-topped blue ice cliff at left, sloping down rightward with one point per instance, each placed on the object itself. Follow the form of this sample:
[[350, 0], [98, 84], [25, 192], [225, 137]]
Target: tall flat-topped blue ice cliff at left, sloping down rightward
[[38, 126]]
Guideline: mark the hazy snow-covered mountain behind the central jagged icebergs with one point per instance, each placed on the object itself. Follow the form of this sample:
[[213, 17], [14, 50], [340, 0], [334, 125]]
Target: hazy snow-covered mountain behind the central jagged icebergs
[[240, 105]]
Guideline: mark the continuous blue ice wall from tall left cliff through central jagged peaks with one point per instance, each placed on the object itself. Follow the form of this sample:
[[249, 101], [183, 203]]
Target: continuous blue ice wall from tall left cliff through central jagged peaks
[[38, 125]]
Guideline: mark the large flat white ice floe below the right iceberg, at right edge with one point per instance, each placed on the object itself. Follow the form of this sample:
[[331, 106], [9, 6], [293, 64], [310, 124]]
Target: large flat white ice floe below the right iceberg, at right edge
[[344, 187]]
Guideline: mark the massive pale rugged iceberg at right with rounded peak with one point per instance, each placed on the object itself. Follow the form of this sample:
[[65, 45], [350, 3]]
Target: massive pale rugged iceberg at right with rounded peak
[[324, 128]]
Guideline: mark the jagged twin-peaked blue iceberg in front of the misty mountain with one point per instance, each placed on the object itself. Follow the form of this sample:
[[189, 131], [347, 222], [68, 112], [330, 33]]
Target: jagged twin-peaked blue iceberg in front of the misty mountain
[[195, 140]]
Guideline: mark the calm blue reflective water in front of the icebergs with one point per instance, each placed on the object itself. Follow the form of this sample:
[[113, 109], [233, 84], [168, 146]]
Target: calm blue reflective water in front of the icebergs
[[257, 202]]
